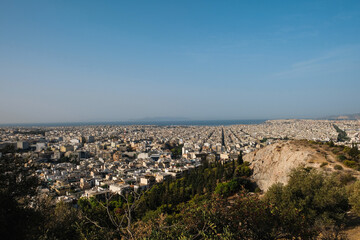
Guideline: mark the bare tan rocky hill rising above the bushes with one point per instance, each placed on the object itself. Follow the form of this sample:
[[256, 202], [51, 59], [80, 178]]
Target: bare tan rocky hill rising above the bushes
[[274, 162]]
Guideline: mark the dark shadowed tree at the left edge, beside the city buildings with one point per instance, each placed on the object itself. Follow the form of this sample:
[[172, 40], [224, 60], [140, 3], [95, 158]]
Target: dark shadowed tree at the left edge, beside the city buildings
[[17, 189]]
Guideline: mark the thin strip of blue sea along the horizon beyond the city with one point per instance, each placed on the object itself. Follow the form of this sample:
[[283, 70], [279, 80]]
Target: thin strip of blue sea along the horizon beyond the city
[[145, 122]]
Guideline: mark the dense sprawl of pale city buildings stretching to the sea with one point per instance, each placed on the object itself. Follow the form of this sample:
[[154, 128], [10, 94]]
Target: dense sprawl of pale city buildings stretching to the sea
[[87, 161]]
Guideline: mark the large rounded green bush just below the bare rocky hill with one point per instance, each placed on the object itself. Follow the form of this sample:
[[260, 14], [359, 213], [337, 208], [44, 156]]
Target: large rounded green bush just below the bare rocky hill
[[311, 199]]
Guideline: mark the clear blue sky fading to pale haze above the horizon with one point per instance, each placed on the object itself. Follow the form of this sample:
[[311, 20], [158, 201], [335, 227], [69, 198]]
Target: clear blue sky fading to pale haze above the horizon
[[67, 61]]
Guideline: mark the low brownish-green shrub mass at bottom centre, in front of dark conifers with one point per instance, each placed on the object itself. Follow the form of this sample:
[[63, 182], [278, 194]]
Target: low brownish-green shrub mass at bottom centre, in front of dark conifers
[[242, 217]]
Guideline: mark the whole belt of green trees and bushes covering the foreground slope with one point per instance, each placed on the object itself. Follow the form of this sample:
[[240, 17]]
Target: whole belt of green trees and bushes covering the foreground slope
[[214, 201]]
